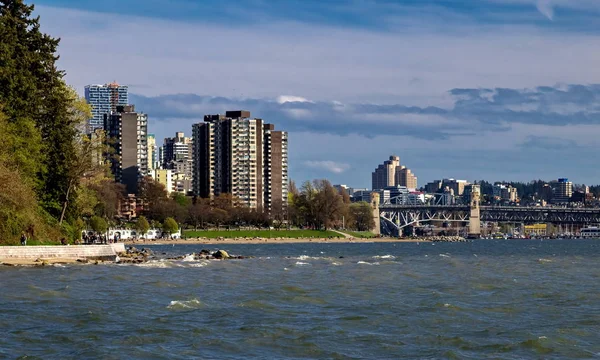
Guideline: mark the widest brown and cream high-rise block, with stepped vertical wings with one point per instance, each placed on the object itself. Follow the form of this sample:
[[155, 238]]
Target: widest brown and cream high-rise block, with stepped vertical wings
[[242, 156]]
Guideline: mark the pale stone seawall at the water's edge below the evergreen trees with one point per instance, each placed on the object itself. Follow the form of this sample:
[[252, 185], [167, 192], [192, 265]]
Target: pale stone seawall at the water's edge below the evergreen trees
[[89, 252]]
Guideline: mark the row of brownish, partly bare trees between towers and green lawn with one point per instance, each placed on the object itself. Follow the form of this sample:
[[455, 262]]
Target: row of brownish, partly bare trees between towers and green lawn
[[316, 205]]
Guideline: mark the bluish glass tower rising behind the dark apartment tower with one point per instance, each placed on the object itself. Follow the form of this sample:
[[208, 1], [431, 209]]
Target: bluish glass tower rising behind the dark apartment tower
[[104, 99]]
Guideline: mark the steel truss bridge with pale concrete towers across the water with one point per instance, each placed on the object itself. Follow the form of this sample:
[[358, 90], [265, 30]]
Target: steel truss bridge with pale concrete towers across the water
[[400, 212]]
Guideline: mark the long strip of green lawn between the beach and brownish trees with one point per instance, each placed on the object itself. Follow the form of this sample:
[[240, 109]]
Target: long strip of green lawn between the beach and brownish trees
[[261, 233]]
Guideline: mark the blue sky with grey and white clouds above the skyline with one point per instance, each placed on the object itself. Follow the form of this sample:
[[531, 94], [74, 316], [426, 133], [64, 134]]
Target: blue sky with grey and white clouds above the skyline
[[470, 89]]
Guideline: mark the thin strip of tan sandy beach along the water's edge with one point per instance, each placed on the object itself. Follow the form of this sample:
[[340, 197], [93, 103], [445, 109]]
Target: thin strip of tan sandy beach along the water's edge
[[268, 241]]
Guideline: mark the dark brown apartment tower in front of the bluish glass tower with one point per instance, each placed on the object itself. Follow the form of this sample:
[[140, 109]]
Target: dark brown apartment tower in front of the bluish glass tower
[[127, 133]]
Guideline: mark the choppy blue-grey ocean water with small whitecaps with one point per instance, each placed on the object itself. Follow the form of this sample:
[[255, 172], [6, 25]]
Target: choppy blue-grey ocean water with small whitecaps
[[504, 299]]
